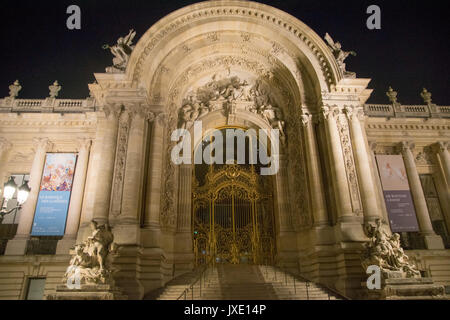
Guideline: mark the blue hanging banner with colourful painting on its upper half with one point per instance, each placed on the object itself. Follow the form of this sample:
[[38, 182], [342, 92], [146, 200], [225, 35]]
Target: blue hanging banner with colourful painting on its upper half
[[54, 195]]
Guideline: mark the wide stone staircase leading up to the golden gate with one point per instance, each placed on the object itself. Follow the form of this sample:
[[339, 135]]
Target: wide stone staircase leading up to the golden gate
[[242, 282]]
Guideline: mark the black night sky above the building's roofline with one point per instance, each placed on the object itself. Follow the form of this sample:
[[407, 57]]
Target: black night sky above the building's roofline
[[410, 52]]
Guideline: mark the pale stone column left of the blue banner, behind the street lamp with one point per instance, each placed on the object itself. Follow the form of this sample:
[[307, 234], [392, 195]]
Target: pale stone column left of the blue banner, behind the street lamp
[[18, 245]]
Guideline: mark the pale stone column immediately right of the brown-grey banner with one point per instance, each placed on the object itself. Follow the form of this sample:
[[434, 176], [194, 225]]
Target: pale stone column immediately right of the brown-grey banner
[[432, 241]]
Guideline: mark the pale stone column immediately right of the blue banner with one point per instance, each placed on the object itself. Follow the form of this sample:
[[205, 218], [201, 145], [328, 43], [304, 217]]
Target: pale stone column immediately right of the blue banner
[[76, 198]]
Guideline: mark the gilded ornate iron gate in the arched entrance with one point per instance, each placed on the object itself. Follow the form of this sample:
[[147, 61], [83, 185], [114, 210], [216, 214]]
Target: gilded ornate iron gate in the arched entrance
[[233, 217]]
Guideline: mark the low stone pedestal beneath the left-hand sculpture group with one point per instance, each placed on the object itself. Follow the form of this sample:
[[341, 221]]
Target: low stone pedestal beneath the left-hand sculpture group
[[87, 292]]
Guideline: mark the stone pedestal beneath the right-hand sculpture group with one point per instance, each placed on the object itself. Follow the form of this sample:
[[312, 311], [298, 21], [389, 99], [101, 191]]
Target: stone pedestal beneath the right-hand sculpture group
[[394, 287]]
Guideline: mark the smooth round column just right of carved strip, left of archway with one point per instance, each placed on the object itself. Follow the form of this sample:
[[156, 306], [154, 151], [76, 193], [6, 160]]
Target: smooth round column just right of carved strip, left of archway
[[127, 224]]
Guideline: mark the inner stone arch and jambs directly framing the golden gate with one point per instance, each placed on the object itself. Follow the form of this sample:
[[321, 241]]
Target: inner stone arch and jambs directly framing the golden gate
[[182, 174]]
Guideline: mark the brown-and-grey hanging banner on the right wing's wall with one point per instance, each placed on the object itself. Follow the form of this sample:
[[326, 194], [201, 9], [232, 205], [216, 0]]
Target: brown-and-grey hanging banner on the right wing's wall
[[397, 195]]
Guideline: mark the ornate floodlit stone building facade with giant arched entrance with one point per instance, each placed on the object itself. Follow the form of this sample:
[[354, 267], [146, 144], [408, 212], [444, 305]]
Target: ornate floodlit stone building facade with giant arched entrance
[[281, 74]]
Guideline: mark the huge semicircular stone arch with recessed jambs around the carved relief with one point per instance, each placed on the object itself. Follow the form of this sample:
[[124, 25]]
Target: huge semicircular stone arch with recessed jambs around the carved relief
[[258, 44]]
